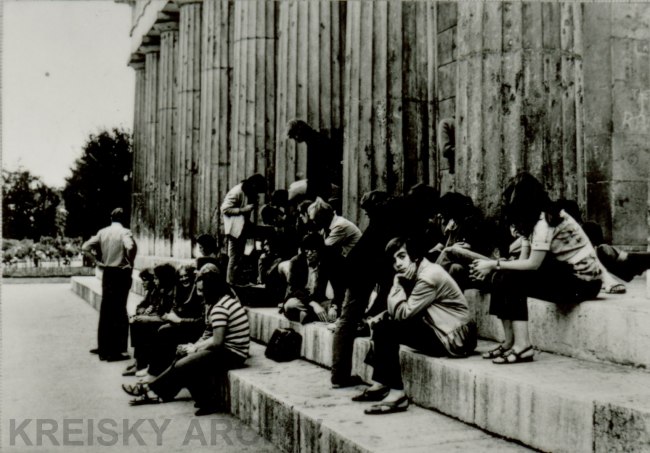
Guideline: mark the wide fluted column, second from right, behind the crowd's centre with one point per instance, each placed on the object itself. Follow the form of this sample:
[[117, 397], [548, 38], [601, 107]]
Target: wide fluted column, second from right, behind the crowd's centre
[[388, 62]]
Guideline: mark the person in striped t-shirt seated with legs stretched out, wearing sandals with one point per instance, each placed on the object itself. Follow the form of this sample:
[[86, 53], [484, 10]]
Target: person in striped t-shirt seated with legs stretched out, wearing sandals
[[223, 346]]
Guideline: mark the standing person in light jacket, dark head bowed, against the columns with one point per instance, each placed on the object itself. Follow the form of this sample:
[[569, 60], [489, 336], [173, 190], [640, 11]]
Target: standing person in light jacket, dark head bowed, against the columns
[[236, 208]]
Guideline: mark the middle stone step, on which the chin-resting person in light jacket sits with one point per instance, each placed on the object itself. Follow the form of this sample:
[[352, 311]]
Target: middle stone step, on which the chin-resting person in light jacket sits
[[555, 403]]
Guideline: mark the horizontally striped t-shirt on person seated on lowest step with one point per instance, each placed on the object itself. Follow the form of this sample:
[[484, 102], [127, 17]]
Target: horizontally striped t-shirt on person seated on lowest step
[[229, 313]]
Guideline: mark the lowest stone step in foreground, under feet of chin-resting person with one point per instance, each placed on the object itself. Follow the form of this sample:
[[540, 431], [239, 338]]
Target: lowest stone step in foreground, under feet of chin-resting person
[[292, 405]]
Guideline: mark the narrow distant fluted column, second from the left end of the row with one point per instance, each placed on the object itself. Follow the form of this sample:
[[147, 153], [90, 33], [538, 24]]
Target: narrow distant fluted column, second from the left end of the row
[[151, 52]]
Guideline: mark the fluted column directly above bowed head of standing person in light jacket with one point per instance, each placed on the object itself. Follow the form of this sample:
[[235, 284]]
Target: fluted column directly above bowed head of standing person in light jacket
[[253, 92]]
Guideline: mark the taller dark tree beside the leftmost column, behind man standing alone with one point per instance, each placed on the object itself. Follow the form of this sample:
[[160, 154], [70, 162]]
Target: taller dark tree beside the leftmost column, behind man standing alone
[[100, 182]]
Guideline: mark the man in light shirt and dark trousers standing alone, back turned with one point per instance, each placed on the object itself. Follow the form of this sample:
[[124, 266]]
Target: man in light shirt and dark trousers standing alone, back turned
[[115, 249]]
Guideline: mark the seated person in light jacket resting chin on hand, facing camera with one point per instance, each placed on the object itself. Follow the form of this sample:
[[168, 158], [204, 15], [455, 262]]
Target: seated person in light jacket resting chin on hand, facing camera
[[426, 311]]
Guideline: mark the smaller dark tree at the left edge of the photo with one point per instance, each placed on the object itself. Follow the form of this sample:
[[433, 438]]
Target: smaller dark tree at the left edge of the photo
[[29, 206]]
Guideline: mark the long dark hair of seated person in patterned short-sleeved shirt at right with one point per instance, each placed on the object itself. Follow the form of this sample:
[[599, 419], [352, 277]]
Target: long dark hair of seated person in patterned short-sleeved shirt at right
[[524, 200]]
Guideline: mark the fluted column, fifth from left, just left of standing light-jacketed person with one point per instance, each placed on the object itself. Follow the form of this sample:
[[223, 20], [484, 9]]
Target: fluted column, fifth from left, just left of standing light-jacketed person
[[216, 75]]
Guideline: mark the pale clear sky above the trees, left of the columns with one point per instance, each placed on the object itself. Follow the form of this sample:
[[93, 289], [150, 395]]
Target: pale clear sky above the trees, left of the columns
[[64, 77]]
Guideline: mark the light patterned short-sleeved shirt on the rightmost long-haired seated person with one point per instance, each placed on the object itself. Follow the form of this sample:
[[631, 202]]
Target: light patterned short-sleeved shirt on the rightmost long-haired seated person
[[568, 243]]
